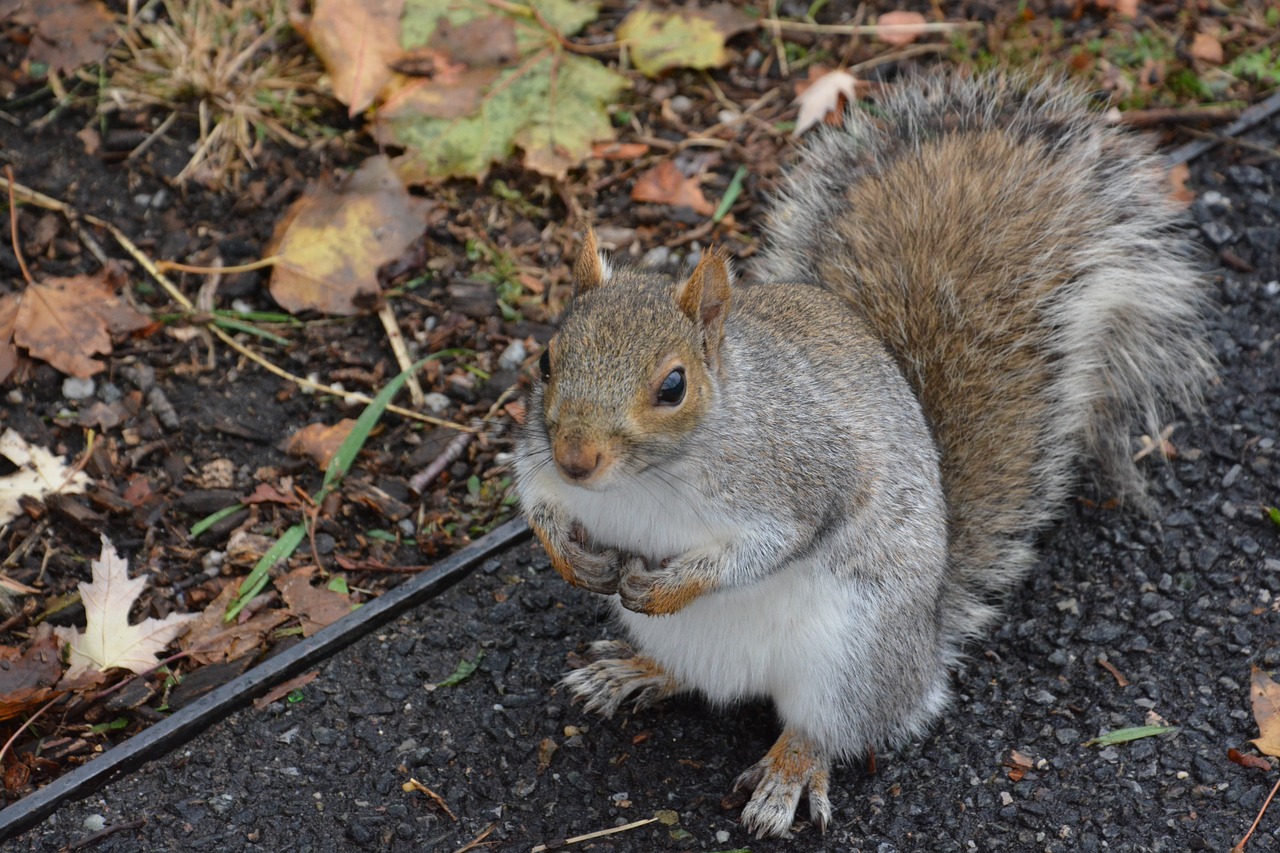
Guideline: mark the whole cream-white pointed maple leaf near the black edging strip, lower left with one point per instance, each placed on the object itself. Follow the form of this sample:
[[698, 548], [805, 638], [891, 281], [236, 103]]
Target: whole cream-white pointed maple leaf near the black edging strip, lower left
[[109, 641]]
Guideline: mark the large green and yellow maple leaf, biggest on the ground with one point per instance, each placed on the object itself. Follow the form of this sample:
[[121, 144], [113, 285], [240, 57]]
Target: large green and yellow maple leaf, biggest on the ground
[[548, 103]]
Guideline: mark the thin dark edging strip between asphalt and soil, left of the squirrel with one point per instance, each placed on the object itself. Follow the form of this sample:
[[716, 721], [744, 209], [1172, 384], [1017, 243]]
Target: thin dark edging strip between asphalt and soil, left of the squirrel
[[223, 701]]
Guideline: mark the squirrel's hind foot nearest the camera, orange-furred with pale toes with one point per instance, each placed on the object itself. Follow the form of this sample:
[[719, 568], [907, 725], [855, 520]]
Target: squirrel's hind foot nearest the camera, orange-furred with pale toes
[[780, 779]]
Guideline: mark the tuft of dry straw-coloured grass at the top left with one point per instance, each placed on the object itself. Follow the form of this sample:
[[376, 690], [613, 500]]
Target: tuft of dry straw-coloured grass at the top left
[[236, 65]]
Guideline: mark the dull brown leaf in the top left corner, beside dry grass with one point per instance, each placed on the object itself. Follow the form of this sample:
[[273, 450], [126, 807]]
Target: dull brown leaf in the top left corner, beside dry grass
[[68, 34]]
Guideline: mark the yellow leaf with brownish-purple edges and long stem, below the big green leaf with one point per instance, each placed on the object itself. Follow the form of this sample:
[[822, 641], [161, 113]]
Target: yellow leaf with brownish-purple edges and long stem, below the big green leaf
[[332, 243]]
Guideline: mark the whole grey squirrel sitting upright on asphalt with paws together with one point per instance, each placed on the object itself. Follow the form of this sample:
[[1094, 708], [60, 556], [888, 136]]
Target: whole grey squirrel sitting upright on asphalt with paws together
[[817, 487]]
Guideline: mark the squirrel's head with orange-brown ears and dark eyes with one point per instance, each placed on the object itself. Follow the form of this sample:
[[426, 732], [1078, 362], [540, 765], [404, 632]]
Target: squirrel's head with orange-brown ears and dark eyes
[[634, 367]]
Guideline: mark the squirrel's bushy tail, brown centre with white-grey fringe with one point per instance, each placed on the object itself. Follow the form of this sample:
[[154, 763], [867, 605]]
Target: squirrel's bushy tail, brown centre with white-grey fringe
[[1023, 261]]
